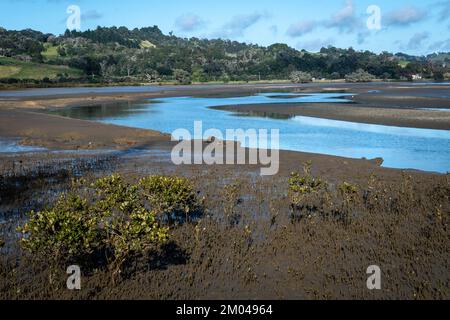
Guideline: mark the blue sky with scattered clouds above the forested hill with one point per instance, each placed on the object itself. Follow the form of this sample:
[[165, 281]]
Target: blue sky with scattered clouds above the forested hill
[[411, 26]]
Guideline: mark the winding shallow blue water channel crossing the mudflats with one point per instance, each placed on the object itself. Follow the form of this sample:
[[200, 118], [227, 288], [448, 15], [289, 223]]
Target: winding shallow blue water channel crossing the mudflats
[[407, 148]]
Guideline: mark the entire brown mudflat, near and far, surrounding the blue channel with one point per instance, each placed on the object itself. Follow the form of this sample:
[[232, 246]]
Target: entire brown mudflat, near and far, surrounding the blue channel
[[253, 241]]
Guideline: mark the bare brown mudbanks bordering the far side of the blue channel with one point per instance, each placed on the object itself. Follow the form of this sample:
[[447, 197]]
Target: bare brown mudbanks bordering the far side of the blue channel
[[378, 103]]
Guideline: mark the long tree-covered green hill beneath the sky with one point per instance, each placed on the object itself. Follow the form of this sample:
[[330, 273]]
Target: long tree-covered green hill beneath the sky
[[119, 54]]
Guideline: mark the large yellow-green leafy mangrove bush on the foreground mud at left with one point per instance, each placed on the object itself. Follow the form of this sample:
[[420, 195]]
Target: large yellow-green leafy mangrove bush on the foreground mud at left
[[110, 216]]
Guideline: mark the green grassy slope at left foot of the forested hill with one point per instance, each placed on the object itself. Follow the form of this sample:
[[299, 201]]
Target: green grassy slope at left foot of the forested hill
[[12, 68]]
